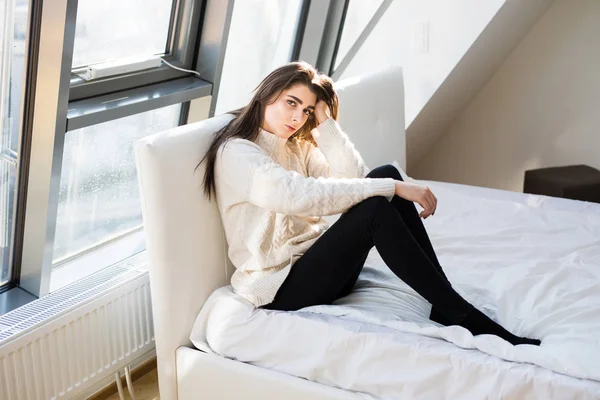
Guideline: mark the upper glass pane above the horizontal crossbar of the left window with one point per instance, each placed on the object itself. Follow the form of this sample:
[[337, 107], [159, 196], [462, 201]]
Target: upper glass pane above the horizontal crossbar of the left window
[[110, 30]]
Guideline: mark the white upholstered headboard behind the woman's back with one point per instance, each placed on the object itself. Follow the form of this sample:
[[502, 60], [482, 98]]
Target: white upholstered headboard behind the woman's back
[[184, 237]]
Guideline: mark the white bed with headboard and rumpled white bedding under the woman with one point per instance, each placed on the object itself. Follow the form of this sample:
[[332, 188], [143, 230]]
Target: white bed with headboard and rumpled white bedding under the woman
[[530, 262]]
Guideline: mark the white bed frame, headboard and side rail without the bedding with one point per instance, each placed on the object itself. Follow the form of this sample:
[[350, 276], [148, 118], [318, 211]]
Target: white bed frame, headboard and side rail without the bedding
[[187, 249]]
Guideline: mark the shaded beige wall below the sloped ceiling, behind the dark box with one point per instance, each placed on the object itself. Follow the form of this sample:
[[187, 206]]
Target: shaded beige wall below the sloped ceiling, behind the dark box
[[540, 109]]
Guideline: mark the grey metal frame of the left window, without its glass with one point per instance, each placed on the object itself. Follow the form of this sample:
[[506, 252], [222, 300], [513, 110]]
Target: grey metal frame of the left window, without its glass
[[52, 111]]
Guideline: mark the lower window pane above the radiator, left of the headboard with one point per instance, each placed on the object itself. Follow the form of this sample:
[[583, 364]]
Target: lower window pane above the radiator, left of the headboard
[[99, 196]]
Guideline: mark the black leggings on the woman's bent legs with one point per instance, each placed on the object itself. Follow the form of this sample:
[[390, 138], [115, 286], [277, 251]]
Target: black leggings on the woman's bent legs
[[330, 267]]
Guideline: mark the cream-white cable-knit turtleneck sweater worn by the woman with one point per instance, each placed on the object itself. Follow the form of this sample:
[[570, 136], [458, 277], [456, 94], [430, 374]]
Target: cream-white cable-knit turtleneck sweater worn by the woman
[[272, 194]]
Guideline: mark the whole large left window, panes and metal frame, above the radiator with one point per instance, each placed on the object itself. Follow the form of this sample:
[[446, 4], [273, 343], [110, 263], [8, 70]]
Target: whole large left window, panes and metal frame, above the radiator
[[80, 207]]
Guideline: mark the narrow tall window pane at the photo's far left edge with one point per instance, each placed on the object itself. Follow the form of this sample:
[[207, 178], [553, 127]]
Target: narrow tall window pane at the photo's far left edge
[[12, 54]]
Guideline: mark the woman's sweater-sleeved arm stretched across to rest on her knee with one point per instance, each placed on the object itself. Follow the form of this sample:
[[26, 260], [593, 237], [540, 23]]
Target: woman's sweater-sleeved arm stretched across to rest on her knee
[[254, 176]]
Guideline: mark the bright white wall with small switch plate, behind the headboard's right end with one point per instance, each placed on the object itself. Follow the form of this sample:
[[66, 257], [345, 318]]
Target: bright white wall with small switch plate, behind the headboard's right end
[[453, 27]]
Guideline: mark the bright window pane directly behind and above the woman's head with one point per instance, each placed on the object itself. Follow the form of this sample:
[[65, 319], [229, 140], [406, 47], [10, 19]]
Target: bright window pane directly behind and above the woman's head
[[262, 34]]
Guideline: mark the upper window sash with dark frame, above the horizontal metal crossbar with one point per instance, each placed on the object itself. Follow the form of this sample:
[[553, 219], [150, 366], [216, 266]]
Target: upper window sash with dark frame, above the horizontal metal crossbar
[[127, 31]]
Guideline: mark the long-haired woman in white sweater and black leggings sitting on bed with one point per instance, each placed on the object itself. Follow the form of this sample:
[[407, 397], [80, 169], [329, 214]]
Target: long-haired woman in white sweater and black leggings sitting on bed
[[279, 166]]
